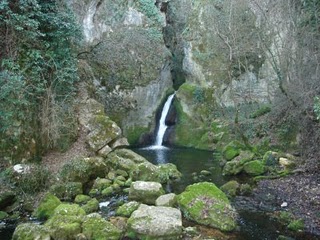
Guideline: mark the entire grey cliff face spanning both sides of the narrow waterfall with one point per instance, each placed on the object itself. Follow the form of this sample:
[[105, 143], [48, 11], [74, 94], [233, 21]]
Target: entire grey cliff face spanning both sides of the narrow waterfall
[[229, 61]]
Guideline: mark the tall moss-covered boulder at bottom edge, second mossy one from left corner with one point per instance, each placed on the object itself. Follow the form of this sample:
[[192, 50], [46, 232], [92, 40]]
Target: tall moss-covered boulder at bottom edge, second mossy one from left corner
[[65, 224]]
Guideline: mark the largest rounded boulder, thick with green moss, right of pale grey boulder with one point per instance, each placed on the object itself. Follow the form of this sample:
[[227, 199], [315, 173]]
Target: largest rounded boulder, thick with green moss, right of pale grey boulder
[[206, 204]]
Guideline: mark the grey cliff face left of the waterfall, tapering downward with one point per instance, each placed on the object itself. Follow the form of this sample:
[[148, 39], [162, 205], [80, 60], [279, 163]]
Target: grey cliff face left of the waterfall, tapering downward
[[124, 59]]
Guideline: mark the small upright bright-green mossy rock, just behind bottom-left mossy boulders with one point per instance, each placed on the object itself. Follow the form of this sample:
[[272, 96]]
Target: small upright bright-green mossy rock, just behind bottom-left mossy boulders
[[47, 206]]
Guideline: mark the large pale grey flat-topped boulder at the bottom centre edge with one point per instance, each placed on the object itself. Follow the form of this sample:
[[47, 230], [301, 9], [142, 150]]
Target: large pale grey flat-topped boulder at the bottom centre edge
[[150, 222]]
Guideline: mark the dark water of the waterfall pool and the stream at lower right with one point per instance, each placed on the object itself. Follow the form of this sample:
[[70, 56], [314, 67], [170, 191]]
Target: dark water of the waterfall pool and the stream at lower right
[[253, 225]]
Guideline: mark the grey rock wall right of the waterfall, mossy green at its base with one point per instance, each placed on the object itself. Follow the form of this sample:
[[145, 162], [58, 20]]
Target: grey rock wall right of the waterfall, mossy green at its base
[[231, 54]]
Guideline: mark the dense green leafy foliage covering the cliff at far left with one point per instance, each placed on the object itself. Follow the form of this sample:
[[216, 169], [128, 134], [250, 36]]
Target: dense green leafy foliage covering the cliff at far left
[[37, 76]]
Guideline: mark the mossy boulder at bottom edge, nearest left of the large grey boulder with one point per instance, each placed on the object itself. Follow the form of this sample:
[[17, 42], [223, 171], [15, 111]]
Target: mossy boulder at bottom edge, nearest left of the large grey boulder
[[95, 227]]
